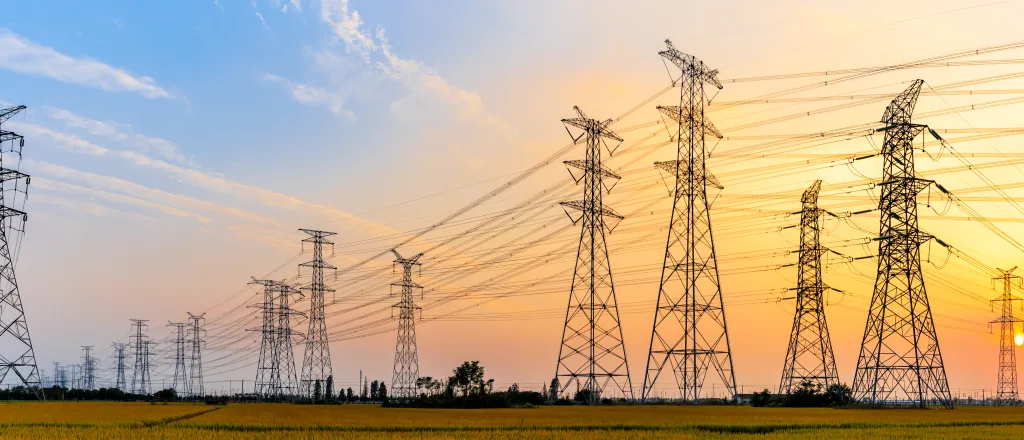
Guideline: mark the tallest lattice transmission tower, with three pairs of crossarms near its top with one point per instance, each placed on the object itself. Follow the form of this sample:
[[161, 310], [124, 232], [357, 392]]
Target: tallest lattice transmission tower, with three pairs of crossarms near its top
[[690, 334]]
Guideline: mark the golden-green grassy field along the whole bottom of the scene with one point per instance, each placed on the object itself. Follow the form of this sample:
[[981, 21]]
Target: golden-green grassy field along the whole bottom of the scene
[[130, 421]]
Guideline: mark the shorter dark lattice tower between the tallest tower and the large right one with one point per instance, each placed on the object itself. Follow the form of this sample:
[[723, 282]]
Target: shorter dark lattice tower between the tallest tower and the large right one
[[809, 358]]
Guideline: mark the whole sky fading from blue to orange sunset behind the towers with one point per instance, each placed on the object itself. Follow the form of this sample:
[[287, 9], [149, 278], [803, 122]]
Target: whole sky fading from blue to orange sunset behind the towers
[[176, 150]]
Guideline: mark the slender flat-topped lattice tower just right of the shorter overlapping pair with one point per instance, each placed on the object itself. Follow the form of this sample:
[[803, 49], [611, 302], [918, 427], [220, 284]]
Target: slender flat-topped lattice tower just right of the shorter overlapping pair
[[317, 362]]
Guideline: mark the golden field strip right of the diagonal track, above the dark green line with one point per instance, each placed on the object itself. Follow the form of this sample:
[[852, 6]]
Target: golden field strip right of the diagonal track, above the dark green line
[[372, 416]]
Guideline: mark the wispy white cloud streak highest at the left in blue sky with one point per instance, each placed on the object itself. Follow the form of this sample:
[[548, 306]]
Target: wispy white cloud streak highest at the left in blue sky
[[25, 57]]
